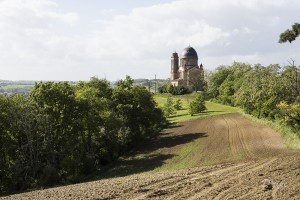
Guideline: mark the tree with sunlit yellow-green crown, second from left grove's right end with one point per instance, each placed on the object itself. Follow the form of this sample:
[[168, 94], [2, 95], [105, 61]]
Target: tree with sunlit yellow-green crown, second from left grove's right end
[[98, 124]]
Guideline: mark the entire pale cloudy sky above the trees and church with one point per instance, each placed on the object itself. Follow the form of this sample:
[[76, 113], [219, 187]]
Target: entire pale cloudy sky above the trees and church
[[78, 39]]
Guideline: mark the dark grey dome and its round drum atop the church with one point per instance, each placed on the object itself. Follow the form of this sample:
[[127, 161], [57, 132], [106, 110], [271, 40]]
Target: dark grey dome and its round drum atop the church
[[189, 58]]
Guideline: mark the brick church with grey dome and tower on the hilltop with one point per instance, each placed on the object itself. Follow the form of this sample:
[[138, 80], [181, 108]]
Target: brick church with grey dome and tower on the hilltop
[[185, 70]]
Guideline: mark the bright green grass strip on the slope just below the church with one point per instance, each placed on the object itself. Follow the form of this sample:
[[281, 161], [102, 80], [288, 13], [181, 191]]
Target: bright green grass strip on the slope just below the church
[[183, 115]]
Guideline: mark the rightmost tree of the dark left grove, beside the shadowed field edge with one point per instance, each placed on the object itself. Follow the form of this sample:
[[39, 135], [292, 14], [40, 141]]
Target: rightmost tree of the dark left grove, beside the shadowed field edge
[[137, 111]]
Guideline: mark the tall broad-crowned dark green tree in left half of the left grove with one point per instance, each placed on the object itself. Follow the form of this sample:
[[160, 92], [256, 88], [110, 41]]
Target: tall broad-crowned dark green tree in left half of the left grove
[[61, 129]]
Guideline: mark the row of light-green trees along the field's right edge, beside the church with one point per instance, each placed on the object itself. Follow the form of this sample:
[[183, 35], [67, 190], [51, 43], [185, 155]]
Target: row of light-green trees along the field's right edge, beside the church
[[272, 92]]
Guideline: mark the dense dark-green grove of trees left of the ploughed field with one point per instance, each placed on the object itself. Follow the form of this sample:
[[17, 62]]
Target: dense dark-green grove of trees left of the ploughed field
[[62, 132]]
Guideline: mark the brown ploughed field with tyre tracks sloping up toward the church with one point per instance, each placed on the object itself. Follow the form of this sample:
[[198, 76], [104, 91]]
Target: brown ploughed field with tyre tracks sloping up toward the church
[[246, 161]]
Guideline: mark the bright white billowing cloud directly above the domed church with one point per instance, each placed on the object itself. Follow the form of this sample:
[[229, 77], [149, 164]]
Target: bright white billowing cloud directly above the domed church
[[145, 31]]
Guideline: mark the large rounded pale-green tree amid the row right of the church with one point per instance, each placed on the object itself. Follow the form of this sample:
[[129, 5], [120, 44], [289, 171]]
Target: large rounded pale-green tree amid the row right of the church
[[261, 90]]
